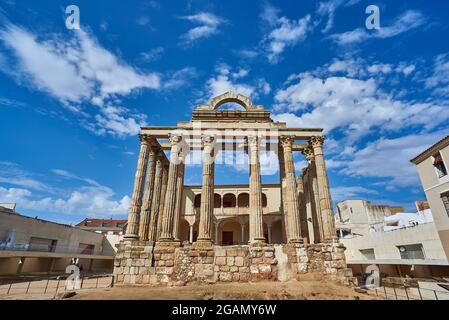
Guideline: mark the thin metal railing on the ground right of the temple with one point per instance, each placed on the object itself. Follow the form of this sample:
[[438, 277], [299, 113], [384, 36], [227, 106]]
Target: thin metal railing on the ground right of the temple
[[408, 293]]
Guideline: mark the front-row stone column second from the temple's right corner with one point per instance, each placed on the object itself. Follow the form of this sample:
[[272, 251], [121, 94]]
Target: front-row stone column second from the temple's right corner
[[292, 203]]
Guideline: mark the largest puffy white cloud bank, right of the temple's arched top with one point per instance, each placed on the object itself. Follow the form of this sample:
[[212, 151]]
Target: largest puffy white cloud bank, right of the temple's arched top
[[328, 102]]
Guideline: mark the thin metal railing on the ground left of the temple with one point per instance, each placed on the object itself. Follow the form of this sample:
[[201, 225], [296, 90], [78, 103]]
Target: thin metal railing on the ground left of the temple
[[52, 286]]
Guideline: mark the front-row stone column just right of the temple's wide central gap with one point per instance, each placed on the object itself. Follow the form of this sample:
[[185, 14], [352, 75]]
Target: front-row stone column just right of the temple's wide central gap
[[255, 193]]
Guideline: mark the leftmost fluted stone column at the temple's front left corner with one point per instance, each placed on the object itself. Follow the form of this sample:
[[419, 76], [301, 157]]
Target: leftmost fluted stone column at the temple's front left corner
[[132, 230]]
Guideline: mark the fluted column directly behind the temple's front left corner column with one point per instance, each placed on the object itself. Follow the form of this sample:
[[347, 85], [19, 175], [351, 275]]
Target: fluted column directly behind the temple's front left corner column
[[145, 213]]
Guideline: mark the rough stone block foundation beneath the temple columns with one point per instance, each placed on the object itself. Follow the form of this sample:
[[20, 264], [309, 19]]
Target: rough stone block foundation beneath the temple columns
[[169, 263]]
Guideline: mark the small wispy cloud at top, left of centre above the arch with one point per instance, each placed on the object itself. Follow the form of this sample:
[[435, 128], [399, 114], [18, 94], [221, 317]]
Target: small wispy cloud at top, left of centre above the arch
[[208, 24]]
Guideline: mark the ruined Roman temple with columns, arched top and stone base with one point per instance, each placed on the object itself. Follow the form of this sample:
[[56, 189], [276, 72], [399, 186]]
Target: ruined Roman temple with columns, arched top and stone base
[[178, 234]]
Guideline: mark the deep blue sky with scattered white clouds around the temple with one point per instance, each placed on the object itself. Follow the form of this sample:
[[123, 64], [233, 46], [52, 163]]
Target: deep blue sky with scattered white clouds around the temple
[[72, 101]]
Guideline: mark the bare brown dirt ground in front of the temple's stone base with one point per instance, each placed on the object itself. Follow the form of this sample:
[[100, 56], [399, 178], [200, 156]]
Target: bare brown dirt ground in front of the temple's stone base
[[292, 290]]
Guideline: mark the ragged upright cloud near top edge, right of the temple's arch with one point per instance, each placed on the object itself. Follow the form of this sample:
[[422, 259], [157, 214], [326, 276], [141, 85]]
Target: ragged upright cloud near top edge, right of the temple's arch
[[284, 32]]
